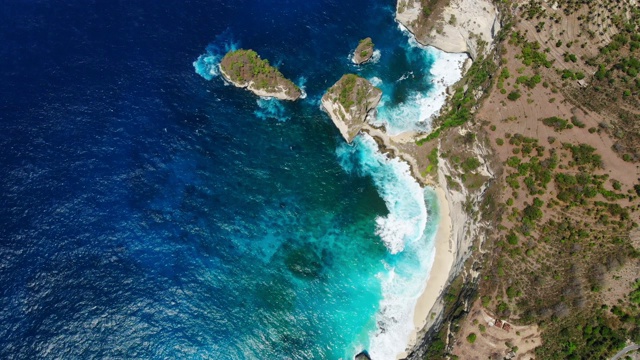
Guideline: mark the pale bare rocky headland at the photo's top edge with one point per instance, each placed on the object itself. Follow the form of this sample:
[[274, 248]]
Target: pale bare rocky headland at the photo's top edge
[[456, 26]]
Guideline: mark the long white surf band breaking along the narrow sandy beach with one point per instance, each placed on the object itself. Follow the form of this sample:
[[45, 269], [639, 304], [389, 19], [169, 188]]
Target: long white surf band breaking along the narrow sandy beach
[[408, 236]]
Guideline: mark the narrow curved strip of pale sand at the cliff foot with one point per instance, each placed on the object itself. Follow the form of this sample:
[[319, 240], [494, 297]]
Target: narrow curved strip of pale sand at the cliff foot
[[442, 264]]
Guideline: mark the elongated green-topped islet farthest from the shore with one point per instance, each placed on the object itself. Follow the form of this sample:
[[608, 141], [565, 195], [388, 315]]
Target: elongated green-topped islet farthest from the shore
[[245, 69]]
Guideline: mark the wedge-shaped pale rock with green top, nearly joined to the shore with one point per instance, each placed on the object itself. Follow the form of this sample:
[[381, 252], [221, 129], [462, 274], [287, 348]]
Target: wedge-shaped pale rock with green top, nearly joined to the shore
[[349, 102]]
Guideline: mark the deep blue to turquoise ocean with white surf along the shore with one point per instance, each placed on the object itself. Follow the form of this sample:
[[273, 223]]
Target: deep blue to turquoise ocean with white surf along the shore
[[149, 210]]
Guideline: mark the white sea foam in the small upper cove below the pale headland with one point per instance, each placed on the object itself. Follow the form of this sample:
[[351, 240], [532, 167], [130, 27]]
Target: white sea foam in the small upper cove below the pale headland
[[419, 109]]
